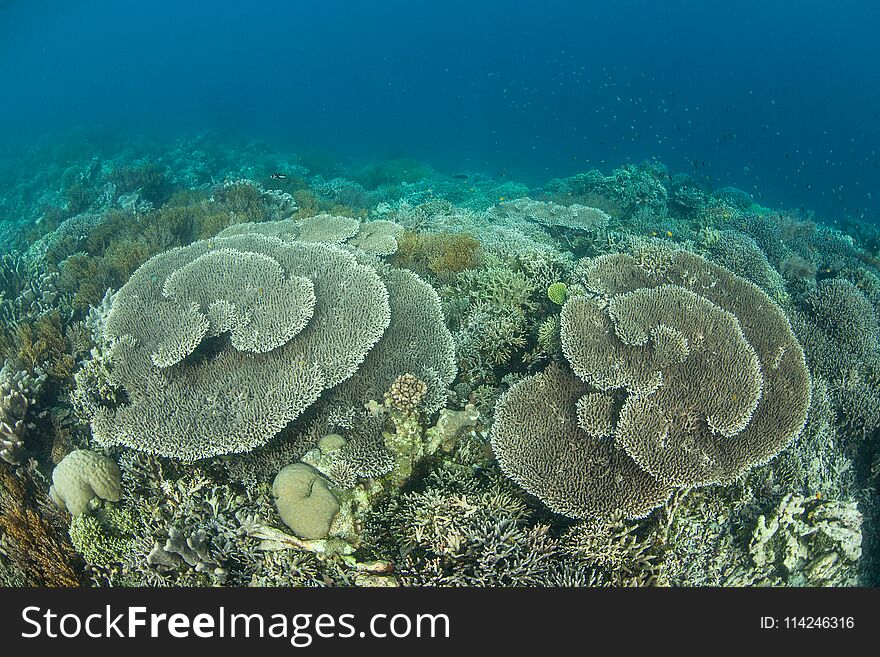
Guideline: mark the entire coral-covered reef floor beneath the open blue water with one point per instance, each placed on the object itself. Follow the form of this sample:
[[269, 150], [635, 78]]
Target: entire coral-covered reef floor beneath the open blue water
[[227, 367]]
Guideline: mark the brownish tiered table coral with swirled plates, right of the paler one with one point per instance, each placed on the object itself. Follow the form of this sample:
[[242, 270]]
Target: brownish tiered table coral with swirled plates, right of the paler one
[[684, 374]]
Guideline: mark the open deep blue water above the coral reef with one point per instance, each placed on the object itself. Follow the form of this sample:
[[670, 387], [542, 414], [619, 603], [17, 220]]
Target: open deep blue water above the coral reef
[[780, 98]]
